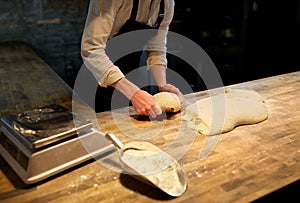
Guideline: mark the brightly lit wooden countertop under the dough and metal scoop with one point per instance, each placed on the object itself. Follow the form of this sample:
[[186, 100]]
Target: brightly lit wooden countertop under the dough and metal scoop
[[246, 164]]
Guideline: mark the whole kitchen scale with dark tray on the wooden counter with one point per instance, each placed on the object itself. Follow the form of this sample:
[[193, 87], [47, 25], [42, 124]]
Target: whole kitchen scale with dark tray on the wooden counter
[[44, 141]]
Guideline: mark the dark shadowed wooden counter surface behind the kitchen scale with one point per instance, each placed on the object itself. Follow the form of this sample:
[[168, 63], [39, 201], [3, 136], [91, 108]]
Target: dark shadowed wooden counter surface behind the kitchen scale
[[26, 81]]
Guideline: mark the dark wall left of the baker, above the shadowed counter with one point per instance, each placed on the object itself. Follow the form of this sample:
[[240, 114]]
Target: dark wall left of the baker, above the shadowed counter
[[52, 28]]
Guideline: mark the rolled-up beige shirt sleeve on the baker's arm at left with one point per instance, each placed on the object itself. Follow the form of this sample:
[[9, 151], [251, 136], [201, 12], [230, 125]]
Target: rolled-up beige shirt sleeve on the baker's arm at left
[[98, 27]]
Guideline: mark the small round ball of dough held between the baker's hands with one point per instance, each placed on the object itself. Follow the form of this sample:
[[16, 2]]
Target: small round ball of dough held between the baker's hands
[[169, 102]]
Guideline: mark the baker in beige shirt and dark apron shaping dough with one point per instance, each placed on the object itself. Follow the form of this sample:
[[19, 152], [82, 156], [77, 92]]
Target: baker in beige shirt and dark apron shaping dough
[[109, 18]]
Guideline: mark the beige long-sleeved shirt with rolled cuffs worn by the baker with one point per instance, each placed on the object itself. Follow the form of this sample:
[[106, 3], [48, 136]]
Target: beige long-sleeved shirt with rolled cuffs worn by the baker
[[105, 18]]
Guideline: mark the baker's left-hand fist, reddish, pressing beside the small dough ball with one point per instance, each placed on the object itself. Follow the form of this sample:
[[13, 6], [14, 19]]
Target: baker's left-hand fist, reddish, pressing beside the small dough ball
[[144, 104]]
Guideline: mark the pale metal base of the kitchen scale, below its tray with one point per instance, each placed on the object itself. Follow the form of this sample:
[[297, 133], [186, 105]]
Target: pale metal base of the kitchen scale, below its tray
[[33, 167]]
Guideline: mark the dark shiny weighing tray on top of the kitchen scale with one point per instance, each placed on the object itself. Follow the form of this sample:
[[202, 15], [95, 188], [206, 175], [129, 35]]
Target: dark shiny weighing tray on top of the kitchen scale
[[45, 125]]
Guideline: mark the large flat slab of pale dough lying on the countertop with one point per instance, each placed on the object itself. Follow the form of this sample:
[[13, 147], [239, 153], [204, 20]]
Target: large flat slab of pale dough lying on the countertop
[[236, 107]]
